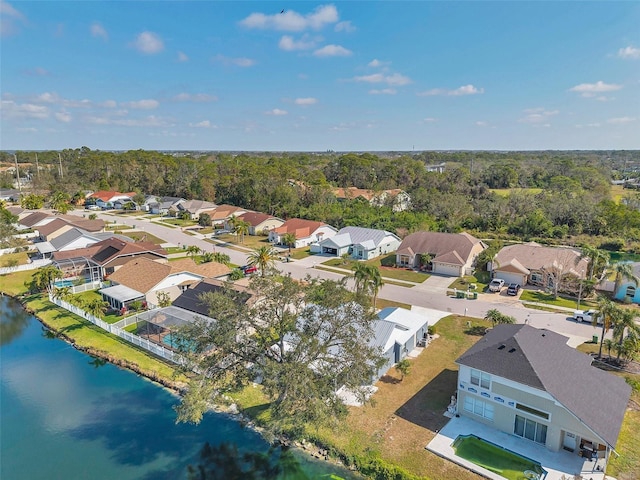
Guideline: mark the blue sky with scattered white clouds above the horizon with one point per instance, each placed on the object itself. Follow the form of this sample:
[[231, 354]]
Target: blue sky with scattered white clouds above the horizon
[[353, 75]]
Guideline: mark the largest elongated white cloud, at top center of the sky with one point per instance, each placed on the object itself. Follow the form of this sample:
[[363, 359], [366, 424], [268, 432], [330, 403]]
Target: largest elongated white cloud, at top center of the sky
[[291, 21]]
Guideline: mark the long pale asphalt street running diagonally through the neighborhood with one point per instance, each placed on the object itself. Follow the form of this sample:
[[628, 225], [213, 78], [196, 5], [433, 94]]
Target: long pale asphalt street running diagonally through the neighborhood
[[418, 296]]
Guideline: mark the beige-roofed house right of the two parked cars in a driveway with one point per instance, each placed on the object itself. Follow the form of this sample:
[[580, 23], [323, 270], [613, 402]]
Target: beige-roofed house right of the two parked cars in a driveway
[[539, 265]]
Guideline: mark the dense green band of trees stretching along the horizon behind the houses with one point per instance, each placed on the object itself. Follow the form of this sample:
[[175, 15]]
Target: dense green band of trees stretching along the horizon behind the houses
[[558, 194]]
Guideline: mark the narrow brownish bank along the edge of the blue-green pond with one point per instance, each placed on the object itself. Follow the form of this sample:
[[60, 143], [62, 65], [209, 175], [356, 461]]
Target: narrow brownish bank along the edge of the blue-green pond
[[178, 388]]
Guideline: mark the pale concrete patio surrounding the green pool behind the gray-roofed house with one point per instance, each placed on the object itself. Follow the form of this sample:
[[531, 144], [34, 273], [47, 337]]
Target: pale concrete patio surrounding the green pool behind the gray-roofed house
[[559, 465]]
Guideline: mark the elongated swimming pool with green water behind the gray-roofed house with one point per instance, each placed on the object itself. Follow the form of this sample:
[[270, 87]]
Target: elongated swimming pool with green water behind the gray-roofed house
[[494, 458]]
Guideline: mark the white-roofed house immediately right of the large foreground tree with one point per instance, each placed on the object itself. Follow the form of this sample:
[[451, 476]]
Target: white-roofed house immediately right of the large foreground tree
[[397, 331]]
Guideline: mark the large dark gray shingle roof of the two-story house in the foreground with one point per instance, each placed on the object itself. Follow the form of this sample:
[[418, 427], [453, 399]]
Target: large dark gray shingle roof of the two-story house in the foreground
[[541, 359]]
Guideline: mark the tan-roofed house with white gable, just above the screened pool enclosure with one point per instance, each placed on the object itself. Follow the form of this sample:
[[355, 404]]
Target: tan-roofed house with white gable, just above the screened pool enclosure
[[149, 277]]
